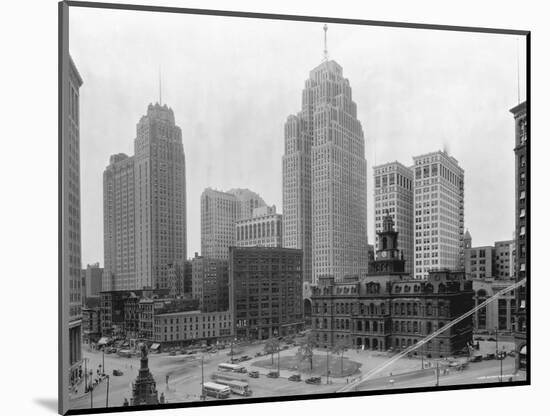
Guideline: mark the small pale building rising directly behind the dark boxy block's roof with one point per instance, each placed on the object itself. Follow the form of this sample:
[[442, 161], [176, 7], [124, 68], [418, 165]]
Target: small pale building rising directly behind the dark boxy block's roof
[[263, 229]]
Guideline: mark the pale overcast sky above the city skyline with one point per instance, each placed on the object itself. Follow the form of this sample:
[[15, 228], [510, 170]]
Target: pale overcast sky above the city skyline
[[233, 81]]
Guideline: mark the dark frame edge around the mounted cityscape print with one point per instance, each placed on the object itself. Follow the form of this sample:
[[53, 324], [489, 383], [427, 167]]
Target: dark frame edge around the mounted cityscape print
[[63, 62]]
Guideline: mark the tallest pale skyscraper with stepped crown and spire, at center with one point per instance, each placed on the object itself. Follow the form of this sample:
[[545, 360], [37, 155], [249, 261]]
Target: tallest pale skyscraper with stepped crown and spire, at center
[[325, 177]]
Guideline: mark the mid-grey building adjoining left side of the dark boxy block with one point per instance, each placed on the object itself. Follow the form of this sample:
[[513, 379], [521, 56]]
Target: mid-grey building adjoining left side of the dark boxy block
[[210, 278]]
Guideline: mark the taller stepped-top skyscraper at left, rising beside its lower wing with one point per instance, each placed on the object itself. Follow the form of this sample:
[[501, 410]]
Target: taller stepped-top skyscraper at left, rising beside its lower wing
[[160, 201]]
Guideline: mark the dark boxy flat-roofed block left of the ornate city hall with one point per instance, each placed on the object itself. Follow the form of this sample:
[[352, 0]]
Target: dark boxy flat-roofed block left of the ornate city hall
[[265, 291]]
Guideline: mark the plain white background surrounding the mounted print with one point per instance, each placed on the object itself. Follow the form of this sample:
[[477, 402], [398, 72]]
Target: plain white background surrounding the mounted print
[[28, 137]]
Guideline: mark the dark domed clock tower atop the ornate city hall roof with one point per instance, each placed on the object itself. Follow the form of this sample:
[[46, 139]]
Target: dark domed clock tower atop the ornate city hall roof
[[388, 257]]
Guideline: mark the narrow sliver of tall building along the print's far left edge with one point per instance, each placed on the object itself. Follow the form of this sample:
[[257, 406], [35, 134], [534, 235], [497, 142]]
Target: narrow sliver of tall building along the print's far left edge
[[70, 237]]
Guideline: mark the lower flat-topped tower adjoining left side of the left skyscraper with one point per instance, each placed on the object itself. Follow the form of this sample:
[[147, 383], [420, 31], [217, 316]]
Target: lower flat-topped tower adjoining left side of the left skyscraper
[[119, 224]]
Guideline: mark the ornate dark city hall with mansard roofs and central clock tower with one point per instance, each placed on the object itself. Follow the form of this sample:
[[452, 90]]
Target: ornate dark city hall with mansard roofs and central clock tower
[[387, 309]]
